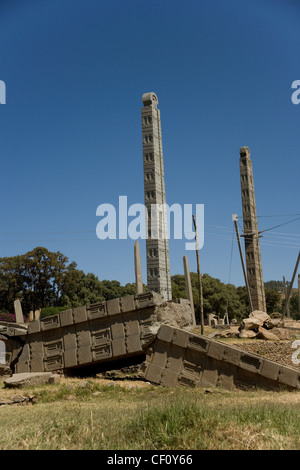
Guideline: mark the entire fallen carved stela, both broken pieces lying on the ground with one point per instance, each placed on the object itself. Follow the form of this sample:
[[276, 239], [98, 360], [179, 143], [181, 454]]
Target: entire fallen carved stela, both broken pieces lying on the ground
[[155, 332]]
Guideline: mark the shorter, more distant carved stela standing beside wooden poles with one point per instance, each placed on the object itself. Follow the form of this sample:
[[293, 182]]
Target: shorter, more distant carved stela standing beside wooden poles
[[252, 246]]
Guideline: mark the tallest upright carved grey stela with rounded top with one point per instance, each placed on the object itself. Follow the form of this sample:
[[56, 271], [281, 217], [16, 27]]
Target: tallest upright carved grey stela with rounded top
[[157, 245]]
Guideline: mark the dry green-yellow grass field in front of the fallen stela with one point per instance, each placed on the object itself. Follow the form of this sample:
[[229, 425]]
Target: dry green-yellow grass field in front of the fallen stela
[[86, 414]]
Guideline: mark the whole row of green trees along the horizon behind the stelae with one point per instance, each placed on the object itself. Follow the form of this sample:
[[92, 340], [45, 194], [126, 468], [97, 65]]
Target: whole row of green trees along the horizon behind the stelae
[[47, 281]]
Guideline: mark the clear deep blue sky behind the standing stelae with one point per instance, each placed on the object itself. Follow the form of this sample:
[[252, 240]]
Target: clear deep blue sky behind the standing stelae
[[75, 72]]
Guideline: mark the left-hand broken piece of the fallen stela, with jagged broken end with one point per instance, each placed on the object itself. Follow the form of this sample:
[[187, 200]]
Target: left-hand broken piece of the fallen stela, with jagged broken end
[[96, 334]]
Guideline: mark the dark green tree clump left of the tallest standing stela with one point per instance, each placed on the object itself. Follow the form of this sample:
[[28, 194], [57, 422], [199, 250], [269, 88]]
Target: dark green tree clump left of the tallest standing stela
[[46, 281]]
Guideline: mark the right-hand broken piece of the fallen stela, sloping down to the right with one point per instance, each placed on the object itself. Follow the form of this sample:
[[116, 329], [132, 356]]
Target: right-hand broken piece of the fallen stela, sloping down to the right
[[206, 362]]
